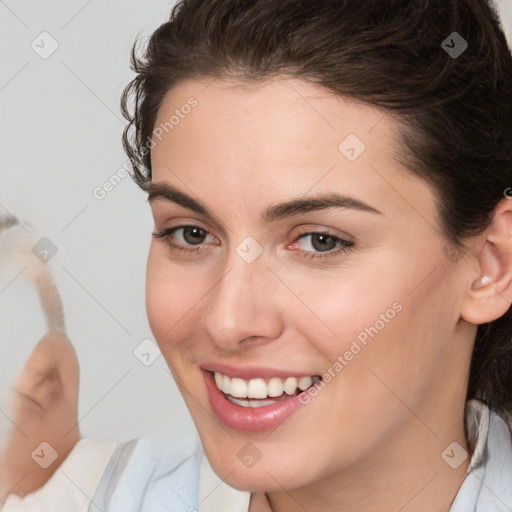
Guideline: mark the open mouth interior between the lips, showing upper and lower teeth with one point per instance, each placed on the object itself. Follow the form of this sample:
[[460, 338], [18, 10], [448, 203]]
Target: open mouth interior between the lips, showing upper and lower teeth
[[262, 392]]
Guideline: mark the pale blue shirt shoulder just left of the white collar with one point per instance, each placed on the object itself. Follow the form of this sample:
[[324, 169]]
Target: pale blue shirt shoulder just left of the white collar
[[151, 475]]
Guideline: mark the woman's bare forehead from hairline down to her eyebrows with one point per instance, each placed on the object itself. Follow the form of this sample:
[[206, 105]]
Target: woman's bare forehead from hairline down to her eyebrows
[[281, 137]]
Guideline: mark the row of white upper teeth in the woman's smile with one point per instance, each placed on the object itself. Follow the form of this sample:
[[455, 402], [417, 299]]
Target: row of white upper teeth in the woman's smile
[[260, 389]]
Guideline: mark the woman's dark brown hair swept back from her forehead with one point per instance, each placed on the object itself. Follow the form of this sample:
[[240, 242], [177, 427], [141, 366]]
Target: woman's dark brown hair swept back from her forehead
[[455, 110]]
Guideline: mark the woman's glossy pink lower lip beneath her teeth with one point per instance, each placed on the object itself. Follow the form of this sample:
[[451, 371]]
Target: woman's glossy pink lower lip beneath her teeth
[[248, 419]]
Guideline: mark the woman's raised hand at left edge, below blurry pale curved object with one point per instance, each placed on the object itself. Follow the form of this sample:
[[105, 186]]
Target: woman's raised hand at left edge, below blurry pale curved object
[[45, 409]]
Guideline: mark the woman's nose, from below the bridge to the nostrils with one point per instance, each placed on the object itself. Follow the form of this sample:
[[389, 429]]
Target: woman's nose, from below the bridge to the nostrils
[[243, 305]]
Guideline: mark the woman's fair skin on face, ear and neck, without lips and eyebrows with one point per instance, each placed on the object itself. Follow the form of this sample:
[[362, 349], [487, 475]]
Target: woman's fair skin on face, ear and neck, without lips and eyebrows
[[372, 439]]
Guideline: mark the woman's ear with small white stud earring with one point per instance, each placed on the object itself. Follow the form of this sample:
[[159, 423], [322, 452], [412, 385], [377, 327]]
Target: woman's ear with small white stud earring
[[489, 293]]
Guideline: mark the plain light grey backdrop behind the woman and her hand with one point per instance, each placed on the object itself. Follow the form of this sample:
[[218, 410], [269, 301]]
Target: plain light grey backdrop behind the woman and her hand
[[60, 130]]
